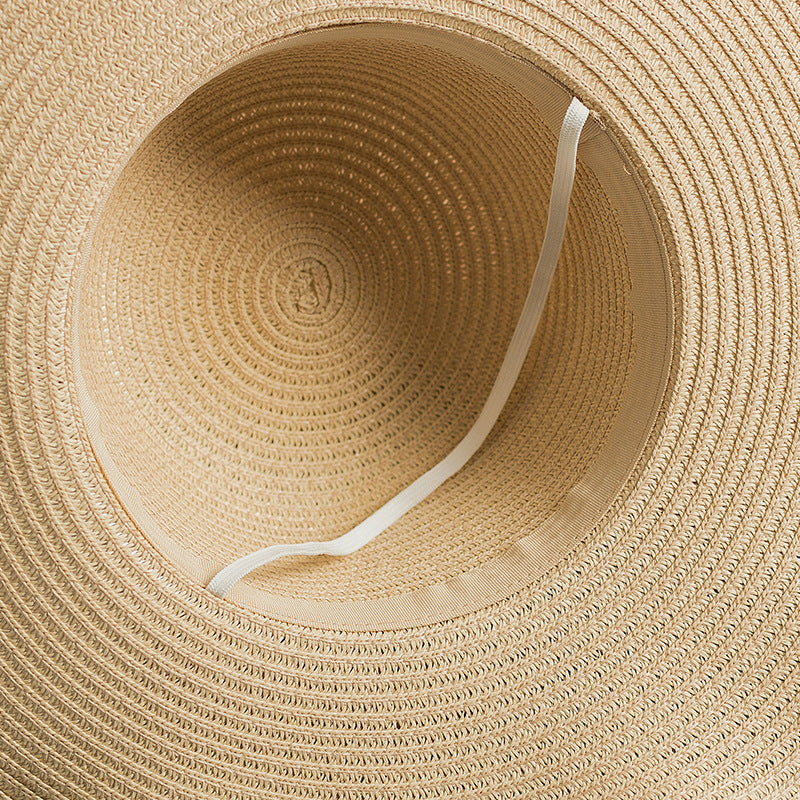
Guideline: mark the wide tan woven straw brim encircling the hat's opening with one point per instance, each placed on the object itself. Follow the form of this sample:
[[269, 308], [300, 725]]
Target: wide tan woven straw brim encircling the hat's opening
[[659, 658]]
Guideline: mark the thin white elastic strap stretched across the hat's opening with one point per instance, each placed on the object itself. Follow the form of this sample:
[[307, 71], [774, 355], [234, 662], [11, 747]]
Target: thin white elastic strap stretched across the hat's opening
[[564, 174]]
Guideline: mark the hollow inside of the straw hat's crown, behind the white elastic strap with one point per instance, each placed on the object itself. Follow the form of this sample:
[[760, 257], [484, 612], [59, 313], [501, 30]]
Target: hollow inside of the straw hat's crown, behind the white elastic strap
[[299, 292]]
